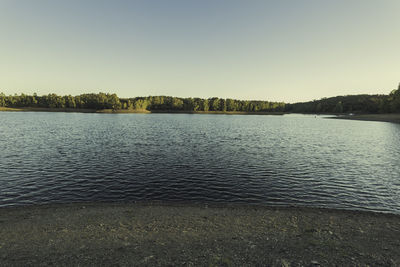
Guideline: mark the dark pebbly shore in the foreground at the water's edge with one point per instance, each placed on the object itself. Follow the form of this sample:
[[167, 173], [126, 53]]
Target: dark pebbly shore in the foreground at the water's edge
[[189, 235]]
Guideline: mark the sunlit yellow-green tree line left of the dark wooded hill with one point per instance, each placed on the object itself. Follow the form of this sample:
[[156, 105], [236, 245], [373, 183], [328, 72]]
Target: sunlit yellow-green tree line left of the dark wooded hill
[[102, 101]]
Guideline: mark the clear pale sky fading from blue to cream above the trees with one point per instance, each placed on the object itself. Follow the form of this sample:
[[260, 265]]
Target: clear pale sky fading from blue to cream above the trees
[[282, 50]]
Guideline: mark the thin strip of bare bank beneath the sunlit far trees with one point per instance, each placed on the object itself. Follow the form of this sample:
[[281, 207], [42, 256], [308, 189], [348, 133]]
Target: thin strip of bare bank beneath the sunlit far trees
[[129, 111]]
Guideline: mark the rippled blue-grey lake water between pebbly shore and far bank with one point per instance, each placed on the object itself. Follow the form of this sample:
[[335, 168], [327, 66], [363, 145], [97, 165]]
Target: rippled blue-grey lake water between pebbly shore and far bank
[[278, 160]]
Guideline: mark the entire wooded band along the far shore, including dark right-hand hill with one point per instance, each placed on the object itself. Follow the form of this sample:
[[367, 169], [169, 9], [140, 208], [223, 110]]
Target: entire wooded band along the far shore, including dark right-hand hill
[[339, 104]]
